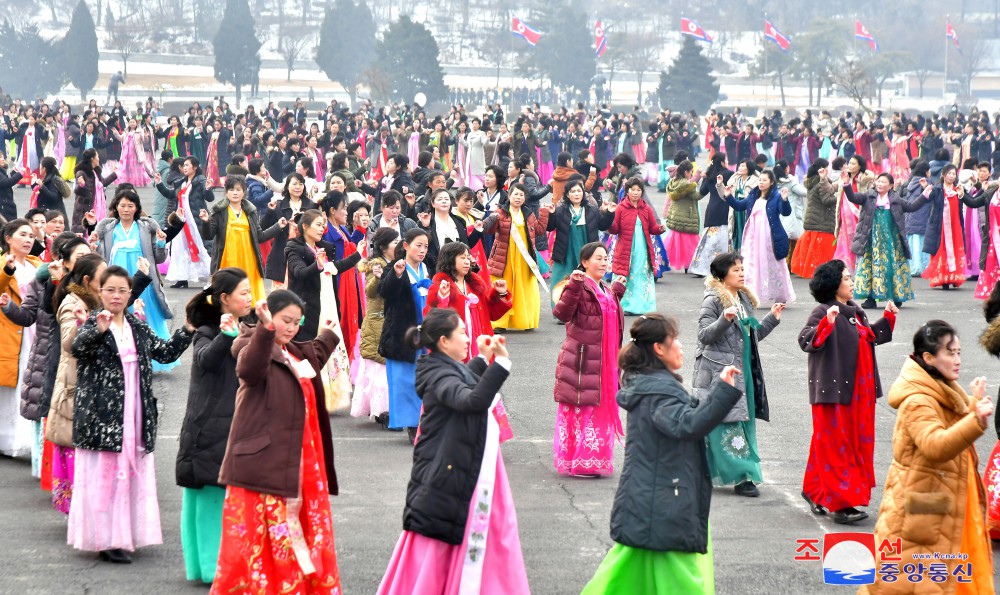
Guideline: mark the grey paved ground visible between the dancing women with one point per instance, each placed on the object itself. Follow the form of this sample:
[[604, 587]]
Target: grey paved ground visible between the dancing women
[[563, 522]]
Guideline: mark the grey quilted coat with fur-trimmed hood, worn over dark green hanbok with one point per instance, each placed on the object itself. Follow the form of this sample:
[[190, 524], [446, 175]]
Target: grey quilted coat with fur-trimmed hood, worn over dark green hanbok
[[720, 344]]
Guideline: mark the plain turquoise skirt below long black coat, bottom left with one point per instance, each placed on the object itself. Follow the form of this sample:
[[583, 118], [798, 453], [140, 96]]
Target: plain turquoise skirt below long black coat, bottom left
[[201, 531]]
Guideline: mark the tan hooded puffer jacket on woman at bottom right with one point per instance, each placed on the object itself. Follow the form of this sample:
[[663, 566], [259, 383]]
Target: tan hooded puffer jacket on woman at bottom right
[[926, 487]]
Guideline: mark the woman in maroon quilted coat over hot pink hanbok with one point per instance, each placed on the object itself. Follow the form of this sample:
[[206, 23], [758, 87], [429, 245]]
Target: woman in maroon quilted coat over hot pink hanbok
[[587, 421]]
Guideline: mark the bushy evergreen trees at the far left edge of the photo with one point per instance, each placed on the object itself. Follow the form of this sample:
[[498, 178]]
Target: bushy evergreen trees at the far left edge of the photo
[[24, 50]]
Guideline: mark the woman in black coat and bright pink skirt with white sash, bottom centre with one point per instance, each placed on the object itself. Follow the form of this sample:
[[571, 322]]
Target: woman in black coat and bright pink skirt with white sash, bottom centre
[[459, 532]]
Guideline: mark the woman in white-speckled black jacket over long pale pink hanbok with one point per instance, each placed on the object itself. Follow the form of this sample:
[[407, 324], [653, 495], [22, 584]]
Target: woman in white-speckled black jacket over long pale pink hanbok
[[114, 509]]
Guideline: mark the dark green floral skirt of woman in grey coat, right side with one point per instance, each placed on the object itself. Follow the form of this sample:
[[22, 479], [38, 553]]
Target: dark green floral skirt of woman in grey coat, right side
[[882, 272]]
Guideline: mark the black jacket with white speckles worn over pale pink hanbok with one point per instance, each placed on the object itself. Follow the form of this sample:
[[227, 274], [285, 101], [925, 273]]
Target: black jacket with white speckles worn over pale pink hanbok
[[98, 409]]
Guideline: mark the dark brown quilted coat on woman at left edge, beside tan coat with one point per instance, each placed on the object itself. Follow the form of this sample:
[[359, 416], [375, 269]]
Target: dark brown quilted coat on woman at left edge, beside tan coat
[[34, 404]]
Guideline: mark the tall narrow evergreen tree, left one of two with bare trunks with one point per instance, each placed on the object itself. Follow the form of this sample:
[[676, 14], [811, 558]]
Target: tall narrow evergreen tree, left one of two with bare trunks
[[237, 57]]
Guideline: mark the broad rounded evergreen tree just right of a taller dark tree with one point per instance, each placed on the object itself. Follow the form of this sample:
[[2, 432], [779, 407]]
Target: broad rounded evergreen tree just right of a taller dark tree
[[408, 62]]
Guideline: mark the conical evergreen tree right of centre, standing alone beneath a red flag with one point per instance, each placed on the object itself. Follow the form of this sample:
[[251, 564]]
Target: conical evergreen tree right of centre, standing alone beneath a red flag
[[688, 84]]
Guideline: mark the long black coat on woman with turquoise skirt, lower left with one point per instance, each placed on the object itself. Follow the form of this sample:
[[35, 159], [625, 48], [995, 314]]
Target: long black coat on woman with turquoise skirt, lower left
[[210, 407]]
